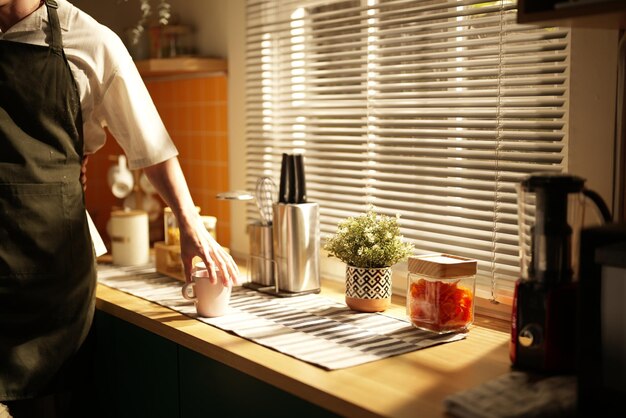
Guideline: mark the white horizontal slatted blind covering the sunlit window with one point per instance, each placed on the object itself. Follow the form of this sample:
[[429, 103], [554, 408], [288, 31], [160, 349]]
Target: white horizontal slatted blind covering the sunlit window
[[433, 110]]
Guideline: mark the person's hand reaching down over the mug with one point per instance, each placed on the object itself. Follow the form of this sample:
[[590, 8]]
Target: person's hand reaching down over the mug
[[196, 241]]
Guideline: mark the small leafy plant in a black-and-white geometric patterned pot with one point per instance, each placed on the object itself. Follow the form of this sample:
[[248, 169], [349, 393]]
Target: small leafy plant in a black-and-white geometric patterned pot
[[369, 244]]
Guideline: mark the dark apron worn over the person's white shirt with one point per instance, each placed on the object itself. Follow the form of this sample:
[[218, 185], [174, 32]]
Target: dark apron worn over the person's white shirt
[[47, 264]]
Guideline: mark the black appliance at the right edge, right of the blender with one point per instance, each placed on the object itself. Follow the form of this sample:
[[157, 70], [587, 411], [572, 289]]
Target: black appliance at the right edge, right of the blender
[[601, 355]]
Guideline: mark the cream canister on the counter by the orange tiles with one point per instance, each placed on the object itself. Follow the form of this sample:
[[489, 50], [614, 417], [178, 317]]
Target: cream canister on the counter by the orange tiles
[[130, 237]]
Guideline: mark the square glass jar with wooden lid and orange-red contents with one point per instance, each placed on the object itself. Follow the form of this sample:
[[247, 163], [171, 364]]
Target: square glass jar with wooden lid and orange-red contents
[[440, 292]]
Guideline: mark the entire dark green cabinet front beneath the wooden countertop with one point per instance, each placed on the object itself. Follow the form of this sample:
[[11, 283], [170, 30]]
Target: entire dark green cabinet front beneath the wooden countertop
[[139, 374]]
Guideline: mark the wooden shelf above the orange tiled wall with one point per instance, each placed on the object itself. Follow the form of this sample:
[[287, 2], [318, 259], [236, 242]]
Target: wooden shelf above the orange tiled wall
[[185, 65]]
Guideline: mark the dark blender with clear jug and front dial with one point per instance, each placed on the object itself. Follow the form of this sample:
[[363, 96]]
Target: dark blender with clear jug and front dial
[[543, 328]]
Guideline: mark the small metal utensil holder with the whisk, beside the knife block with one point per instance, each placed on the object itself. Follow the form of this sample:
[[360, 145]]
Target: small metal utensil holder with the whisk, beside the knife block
[[261, 266]]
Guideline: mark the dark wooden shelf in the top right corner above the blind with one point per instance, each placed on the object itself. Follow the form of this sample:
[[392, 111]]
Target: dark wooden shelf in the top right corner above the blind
[[607, 14]]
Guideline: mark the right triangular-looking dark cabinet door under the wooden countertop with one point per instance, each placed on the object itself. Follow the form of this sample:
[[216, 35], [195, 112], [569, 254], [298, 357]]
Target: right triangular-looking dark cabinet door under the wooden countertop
[[209, 388]]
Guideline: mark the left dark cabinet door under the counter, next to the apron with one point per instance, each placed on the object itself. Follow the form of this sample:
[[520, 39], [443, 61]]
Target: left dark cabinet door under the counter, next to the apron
[[136, 371]]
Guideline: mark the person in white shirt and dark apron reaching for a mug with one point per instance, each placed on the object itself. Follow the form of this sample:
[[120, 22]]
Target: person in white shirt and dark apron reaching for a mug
[[63, 79]]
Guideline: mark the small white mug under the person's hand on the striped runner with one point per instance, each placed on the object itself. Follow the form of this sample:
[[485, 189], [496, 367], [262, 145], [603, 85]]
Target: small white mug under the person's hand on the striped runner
[[211, 299]]
